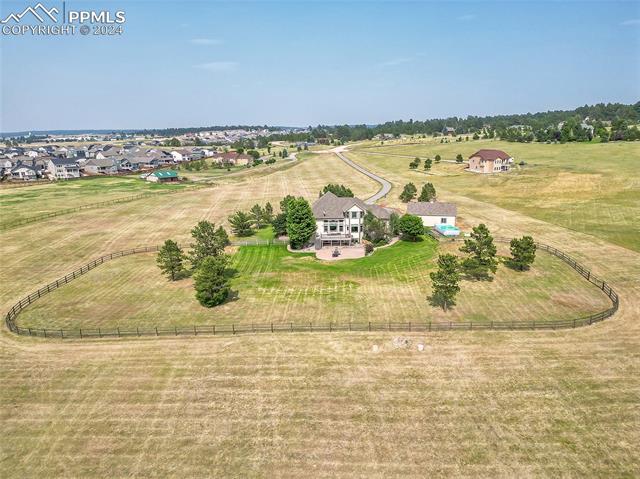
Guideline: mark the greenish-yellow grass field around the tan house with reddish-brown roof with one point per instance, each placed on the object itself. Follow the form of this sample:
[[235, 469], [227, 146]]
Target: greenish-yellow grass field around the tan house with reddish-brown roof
[[590, 188]]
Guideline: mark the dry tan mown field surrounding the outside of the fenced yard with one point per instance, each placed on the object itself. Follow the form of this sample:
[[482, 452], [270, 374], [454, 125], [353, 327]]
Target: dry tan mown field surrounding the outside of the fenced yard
[[472, 404]]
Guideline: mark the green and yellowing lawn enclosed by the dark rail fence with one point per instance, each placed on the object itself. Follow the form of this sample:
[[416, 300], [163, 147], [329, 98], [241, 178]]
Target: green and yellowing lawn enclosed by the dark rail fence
[[276, 286]]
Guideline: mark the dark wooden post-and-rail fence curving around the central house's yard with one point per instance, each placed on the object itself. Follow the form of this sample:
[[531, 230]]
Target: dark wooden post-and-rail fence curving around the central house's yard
[[195, 330]]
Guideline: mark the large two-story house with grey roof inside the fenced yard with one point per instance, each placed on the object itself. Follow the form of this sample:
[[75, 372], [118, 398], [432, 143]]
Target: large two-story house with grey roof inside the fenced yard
[[340, 220]]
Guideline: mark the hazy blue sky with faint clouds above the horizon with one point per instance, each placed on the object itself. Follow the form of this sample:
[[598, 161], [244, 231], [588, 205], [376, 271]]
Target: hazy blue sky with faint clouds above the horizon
[[304, 63]]
